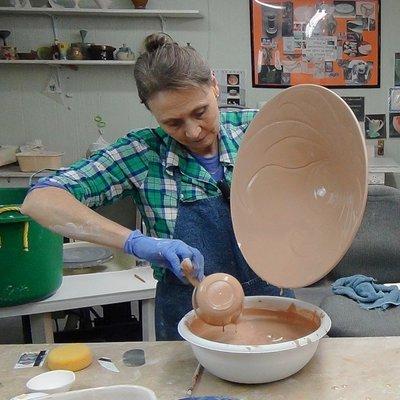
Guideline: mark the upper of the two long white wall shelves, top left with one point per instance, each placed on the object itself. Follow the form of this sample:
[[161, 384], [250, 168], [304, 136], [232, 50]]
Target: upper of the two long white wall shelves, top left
[[102, 12]]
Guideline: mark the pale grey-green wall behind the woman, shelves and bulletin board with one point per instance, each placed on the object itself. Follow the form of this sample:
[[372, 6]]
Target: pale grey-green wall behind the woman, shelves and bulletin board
[[222, 36]]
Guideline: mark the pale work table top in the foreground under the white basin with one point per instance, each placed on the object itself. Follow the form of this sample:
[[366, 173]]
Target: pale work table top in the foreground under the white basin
[[344, 368]]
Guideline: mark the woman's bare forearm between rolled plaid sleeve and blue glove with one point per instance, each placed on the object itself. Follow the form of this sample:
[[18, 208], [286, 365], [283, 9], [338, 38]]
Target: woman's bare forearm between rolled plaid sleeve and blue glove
[[59, 211]]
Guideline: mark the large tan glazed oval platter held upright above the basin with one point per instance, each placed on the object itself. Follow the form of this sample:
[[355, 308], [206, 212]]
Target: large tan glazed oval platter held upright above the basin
[[299, 186]]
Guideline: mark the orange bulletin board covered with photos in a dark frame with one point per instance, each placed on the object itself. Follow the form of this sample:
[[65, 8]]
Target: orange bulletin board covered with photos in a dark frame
[[331, 43]]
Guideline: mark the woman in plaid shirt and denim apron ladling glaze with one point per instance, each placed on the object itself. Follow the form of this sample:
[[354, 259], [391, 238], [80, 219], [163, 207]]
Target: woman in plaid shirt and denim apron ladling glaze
[[178, 175]]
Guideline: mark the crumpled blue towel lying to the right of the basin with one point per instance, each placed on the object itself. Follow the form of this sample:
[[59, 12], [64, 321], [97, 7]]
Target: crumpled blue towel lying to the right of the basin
[[366, 292]]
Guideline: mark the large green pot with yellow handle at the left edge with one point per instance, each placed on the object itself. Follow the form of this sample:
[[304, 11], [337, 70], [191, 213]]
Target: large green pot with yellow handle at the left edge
[[30, 256]]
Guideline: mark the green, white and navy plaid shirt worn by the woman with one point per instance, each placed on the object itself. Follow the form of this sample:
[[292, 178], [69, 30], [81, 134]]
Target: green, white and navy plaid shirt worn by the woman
[[141, 165]]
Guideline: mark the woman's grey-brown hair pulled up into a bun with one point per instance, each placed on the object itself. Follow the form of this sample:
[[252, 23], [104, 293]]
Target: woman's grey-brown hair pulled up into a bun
[[164, 65]]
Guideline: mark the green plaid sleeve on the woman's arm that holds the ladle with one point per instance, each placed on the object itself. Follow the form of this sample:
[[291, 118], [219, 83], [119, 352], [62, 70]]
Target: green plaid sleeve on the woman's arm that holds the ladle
[[108, 174]]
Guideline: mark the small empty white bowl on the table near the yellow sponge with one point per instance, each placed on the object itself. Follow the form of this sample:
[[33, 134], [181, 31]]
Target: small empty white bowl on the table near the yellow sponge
[[52, 382]]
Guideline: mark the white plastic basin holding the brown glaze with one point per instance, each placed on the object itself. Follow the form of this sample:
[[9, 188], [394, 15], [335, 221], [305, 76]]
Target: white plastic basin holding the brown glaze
[[262, 363]]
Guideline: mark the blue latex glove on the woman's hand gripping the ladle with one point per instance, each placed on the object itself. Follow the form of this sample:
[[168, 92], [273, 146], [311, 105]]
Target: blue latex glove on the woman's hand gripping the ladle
[[166, 253]]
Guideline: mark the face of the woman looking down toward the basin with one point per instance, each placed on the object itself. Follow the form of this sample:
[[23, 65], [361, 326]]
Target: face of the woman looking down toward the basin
[[190, 116]]
